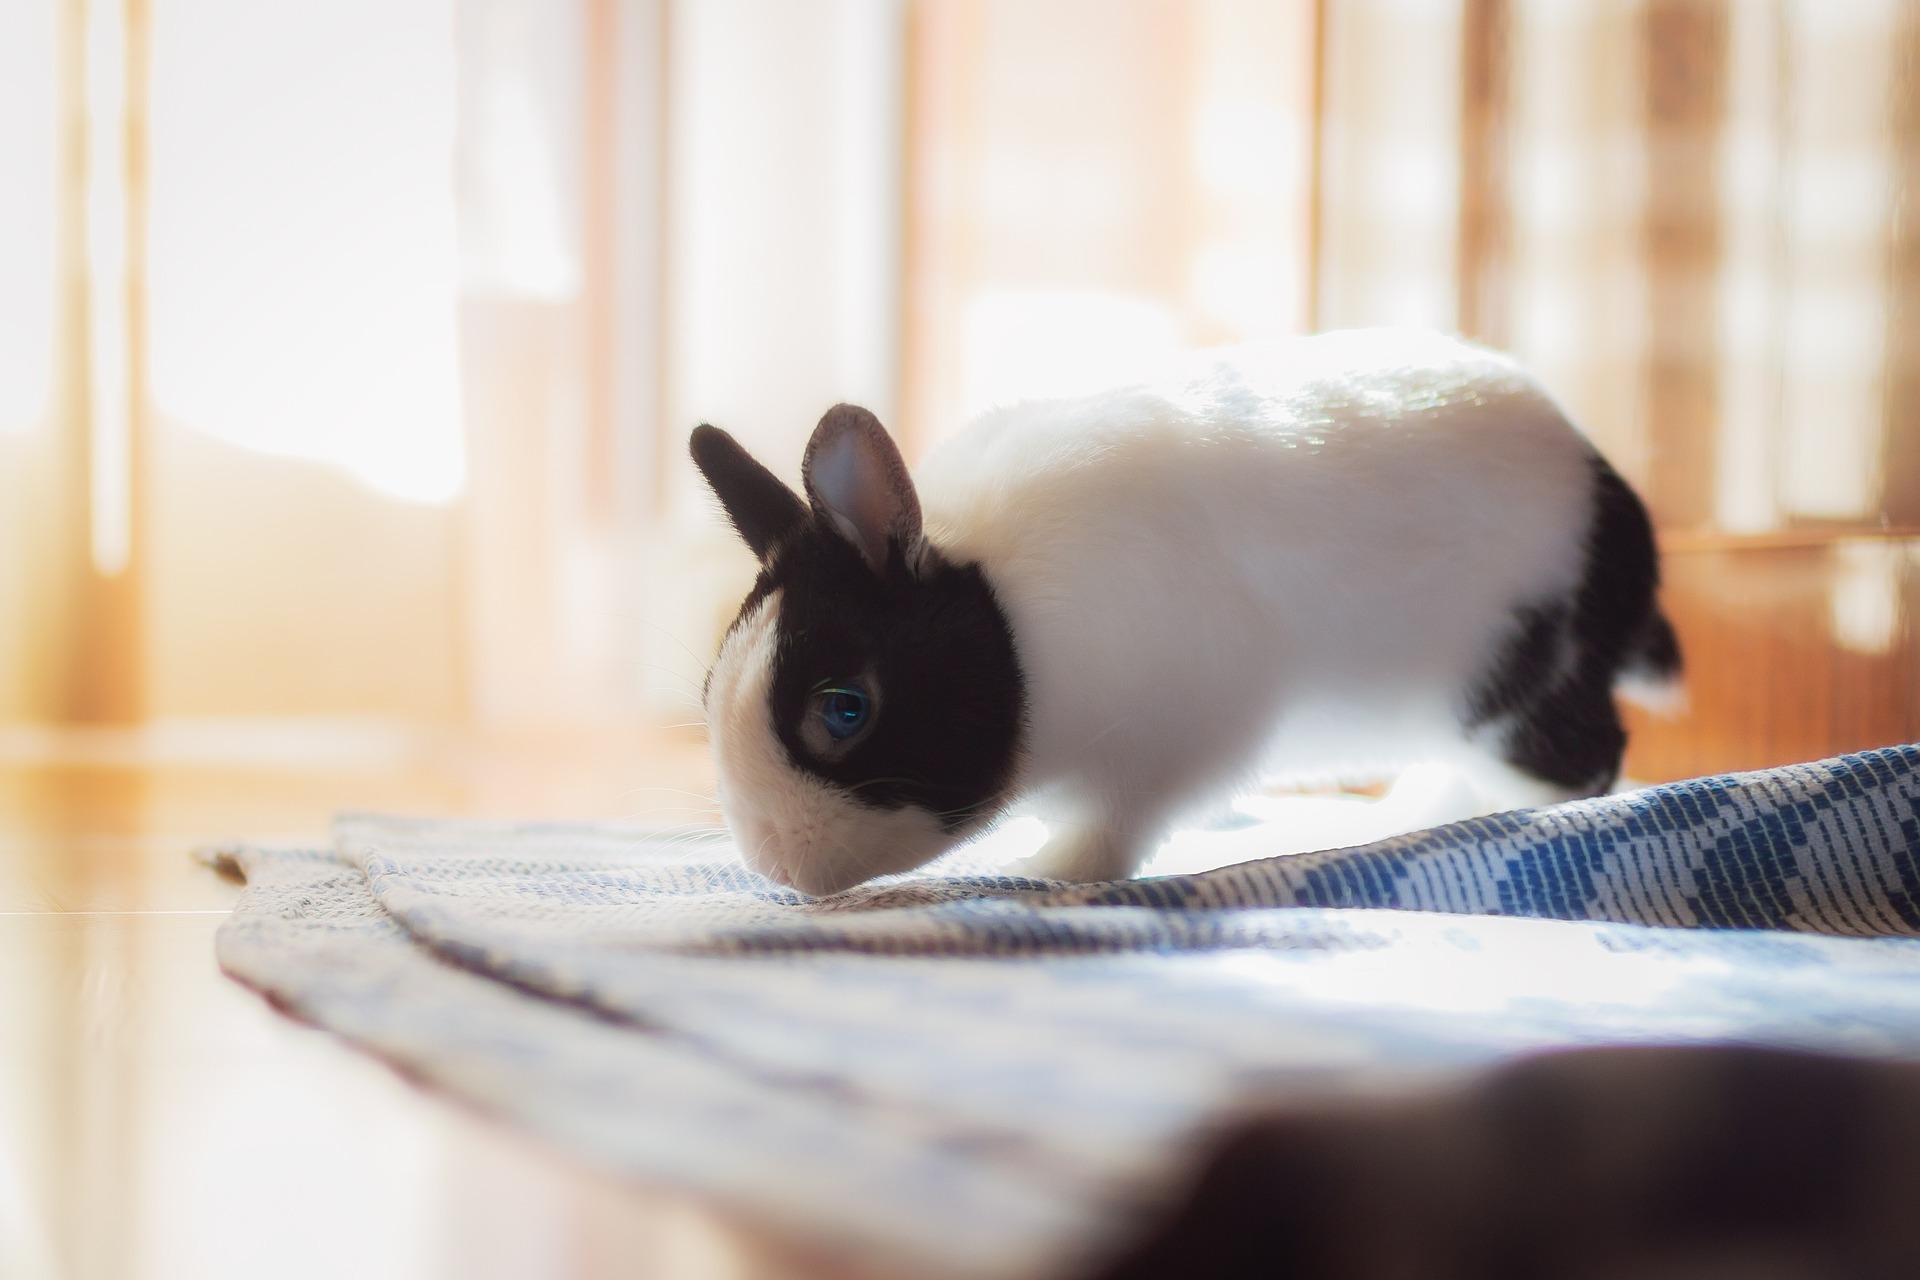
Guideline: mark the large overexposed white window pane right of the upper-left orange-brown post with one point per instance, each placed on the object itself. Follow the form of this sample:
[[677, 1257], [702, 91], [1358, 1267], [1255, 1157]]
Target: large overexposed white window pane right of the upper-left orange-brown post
[[302, 235]]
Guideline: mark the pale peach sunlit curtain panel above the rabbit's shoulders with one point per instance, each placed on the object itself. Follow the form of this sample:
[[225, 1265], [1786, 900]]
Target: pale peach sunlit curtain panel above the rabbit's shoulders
[[1097, 185]]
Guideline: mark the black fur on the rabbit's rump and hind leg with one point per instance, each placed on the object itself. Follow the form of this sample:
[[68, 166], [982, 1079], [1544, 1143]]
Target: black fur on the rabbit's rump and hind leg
[[1552, 680]]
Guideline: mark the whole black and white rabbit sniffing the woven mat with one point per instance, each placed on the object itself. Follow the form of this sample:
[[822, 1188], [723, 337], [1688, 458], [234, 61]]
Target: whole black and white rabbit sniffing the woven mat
[[1320, 559]]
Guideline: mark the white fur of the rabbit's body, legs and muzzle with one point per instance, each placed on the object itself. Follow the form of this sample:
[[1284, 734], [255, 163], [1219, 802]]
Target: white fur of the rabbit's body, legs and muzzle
[[1285, 559]]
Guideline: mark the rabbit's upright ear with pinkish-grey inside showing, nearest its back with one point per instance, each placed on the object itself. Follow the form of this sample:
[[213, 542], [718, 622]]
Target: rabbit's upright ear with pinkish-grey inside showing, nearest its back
[[859, 483]]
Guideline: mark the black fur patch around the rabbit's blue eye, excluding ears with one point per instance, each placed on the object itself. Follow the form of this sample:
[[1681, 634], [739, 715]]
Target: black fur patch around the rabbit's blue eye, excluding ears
[[951, 709]]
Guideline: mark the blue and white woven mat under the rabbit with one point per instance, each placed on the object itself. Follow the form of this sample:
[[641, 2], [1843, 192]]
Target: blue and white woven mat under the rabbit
[[990, 1078]]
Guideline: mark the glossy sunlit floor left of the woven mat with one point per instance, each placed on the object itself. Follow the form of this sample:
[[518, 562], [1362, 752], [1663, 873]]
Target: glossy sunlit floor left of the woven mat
[[160, 1122]]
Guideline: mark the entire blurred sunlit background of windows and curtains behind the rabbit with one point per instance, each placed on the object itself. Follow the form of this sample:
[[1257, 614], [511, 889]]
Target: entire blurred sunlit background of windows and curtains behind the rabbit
[[348, 348]]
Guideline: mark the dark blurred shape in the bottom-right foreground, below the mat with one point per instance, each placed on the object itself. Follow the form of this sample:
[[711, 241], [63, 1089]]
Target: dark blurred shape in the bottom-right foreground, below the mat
[[1620, 1164]]
